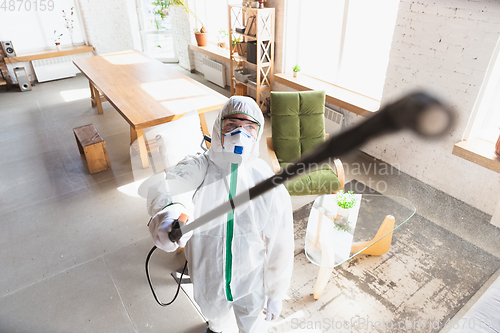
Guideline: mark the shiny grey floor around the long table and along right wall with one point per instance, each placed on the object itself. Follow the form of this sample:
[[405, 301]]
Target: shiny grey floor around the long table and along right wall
[[73, 245]]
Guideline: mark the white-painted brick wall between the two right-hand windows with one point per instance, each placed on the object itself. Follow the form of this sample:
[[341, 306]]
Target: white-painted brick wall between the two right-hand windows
[[444, 47]]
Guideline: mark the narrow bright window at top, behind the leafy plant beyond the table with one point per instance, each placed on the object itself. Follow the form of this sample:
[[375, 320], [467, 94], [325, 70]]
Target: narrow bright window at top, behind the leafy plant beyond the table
[[157, 38]]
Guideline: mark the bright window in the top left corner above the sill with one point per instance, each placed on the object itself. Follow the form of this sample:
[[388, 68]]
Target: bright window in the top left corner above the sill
[[32, 28]]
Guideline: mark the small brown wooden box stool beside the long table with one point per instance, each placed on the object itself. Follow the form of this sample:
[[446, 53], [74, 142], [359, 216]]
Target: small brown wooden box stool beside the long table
[[92, 148]]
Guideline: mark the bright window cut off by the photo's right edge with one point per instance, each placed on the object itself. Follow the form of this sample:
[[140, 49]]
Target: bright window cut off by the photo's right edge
[[484, 122]]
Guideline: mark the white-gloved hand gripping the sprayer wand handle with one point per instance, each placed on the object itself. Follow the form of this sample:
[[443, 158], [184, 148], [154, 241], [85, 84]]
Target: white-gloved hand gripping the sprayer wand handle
[[161, 224]]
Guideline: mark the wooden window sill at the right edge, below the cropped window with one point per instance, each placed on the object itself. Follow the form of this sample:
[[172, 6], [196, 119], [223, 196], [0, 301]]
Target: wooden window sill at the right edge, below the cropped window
[[478, 151]]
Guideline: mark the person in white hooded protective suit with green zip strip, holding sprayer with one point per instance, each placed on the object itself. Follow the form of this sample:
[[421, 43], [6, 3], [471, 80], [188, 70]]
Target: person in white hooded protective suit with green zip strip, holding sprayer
[[245, 256]]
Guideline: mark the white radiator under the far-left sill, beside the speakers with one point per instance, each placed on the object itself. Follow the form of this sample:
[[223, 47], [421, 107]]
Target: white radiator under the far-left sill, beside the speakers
[[54, 68]]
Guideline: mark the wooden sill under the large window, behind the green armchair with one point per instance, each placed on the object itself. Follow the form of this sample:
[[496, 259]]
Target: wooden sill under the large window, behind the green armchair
[[343, 98]]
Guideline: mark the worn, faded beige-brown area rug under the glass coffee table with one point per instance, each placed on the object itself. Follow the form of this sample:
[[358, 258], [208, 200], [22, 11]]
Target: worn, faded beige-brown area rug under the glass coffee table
[[418, 286]]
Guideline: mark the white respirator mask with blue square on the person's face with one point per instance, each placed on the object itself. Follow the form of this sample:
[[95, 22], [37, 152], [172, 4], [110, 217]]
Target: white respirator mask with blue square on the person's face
[[238, 145]]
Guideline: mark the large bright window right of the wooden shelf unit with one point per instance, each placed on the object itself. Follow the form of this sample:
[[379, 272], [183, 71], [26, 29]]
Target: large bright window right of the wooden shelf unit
[[346, 43]]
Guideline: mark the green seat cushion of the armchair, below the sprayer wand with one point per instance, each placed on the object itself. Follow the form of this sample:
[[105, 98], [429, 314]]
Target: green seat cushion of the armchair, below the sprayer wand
[[320, 181]]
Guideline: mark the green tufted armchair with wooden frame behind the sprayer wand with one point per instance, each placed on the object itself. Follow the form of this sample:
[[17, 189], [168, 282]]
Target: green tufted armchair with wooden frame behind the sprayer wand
[[298, 125]]
